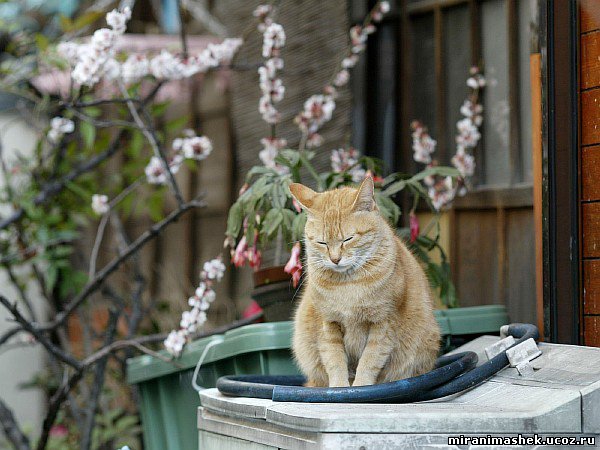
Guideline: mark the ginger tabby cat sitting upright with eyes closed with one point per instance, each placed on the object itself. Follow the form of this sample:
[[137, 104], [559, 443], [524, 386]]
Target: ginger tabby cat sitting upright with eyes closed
[[366, 314]]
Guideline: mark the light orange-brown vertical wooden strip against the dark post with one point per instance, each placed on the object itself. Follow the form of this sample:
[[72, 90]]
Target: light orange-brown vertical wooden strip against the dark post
[[535, 75]]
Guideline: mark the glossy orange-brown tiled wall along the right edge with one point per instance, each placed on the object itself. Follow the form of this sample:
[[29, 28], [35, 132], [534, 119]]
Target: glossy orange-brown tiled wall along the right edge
[[589, 99]]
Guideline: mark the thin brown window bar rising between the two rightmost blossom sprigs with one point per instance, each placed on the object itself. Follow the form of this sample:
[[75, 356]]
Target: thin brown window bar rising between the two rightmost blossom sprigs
[[440, 73]]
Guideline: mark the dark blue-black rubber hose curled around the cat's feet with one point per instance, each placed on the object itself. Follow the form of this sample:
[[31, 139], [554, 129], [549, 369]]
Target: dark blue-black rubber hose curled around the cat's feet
[[453, 374]]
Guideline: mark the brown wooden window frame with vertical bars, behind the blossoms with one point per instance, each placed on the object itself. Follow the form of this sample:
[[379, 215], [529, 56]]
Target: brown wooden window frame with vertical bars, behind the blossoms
[[521, 190]]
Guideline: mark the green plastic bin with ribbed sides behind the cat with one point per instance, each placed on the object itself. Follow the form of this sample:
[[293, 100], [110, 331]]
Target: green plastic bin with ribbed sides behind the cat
[[168, 403]]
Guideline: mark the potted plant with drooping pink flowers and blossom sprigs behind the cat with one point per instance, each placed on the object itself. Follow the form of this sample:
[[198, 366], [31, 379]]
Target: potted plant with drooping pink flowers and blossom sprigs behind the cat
[[265, 224]]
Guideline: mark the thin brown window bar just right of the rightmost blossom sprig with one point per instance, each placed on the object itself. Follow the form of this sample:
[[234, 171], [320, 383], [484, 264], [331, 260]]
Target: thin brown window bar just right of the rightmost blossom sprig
[[512, 22]]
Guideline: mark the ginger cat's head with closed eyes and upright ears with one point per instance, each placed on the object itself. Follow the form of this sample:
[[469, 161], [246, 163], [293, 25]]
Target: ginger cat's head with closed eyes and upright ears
[[342, 227]]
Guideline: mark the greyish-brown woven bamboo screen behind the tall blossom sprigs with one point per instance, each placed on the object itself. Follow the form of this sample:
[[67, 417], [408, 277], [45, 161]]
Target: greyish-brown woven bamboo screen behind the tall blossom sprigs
[[316, 33]]
